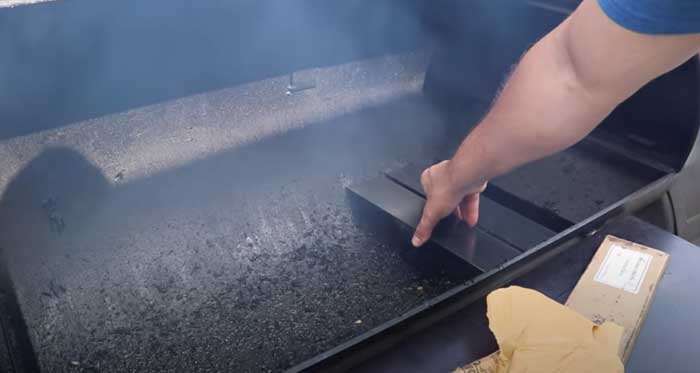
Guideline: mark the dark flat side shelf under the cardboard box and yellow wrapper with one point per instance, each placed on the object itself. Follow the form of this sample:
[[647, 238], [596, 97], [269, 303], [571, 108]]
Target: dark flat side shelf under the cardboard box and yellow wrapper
[[667, 341]]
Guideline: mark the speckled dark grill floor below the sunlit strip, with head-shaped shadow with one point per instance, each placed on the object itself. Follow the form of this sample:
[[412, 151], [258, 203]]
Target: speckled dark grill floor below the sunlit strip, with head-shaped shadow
[[245, 261]]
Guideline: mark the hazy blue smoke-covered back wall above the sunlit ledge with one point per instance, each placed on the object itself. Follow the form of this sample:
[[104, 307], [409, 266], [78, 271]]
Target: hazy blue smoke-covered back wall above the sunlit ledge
[[68, 61]]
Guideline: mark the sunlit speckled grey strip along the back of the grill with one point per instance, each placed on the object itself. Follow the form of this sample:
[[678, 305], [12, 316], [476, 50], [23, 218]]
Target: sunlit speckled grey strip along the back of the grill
[[145, 141]]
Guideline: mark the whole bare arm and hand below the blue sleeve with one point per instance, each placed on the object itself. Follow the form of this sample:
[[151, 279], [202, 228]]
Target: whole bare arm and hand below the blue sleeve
[[563, 87]]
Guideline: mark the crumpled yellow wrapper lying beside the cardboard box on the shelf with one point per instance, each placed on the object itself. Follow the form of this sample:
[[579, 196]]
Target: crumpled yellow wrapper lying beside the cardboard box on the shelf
[[537, 334]]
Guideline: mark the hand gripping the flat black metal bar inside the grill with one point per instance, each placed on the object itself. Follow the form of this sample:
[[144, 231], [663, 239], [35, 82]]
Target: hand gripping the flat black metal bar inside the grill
[[444, 198]]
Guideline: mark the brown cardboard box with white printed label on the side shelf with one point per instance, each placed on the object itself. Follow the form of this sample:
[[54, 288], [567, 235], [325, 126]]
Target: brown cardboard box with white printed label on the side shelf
[[618, 286]]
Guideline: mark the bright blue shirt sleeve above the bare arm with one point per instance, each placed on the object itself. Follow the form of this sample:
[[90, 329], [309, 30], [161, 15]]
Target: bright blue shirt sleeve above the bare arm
[[655, 16]]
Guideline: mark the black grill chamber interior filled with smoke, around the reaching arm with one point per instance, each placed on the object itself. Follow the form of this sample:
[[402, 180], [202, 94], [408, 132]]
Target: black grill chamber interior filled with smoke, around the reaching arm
[[172, 199]]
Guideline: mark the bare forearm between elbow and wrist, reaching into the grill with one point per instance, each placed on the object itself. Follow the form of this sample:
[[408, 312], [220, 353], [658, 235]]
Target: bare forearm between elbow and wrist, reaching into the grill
[[543, 108]]
